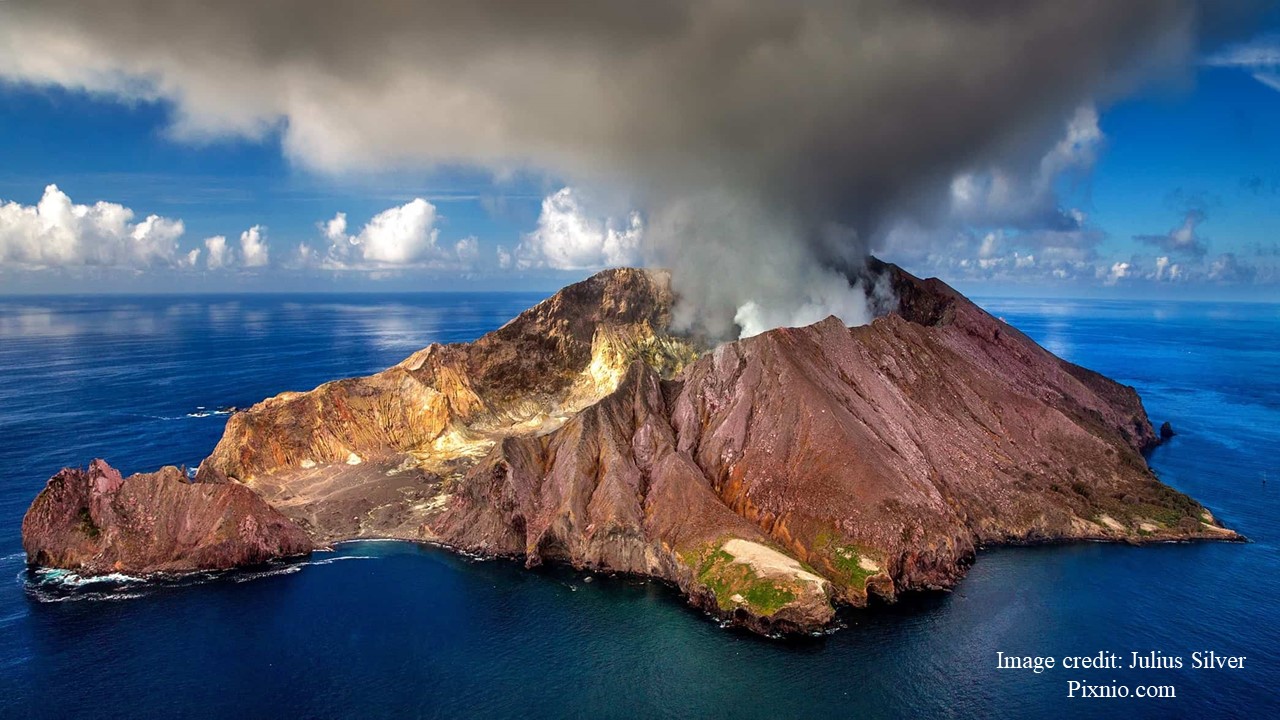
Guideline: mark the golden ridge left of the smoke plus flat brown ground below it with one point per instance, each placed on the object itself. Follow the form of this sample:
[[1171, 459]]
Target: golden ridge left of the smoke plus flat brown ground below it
[[377, 457]]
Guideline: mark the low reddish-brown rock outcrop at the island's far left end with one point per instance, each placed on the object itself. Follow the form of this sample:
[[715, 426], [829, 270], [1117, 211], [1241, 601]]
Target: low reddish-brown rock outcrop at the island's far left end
[[97, 522]]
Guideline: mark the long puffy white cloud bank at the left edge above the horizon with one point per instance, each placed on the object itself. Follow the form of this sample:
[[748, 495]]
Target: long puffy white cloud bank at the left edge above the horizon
[[58, 234]]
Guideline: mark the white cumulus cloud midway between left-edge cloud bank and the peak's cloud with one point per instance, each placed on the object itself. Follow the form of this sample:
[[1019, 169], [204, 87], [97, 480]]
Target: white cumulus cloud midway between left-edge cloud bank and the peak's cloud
[[399, 238]]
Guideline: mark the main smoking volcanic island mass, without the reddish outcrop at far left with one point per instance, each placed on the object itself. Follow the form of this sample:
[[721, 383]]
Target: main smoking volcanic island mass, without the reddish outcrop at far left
[[770, 480]]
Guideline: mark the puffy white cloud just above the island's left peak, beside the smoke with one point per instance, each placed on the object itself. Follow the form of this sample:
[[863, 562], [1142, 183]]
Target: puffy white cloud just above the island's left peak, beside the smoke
[[569, 239]]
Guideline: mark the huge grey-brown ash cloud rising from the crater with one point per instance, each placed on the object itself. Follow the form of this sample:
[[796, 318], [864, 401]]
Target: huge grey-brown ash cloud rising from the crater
[[769, 144]]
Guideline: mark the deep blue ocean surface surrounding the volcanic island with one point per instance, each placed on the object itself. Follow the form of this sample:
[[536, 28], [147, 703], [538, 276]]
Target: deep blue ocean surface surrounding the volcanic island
[[395, 630]]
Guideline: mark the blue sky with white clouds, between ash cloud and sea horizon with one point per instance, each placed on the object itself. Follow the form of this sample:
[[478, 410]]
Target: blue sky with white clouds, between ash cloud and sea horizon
[[1174, 192]]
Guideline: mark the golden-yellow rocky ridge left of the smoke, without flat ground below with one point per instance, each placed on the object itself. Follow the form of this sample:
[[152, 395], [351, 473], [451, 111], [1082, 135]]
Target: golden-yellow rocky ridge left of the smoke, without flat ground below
[[452, 402]]
